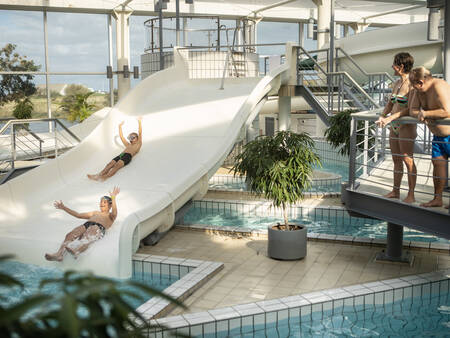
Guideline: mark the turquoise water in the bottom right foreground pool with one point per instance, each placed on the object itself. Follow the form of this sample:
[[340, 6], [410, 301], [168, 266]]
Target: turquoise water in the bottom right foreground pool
[[412, 317]]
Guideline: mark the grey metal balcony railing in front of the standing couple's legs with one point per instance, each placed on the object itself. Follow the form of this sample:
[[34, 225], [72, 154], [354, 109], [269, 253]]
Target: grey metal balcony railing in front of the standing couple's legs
[[373, 163]]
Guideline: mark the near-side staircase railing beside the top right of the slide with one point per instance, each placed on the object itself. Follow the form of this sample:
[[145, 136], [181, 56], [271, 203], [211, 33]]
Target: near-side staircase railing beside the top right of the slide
[[335, 91]]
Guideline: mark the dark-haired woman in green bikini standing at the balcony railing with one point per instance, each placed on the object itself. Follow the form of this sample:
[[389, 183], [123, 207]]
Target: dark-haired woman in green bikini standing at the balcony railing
[[401, 136]]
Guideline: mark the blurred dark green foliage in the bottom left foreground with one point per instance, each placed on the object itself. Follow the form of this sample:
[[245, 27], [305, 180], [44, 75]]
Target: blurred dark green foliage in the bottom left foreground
[[86, 306]]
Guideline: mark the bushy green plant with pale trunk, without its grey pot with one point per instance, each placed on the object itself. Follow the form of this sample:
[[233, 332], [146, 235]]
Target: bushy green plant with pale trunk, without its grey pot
[[278, 167]]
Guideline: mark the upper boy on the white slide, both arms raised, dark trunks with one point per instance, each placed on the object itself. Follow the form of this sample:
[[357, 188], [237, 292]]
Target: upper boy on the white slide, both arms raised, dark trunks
[[131, 148]]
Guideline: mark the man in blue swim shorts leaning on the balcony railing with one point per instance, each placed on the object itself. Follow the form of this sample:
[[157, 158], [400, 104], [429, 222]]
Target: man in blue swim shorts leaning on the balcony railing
[[432, 103]]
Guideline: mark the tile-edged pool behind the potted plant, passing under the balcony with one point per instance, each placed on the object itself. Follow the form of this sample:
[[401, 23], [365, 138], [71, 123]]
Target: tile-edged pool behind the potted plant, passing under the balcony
[[258, 216]]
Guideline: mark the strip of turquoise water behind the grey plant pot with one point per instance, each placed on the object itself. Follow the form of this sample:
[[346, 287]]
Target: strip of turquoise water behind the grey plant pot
[[317, 222]]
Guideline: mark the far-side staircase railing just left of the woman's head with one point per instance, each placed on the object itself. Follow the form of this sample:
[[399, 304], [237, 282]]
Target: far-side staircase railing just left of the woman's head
[[375, 84]]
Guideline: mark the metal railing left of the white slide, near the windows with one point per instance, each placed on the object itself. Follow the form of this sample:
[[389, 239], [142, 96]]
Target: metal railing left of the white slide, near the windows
[[19, 140]]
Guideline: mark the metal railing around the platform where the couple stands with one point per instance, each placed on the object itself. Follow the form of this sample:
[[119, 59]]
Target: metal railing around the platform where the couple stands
[[371, 167]]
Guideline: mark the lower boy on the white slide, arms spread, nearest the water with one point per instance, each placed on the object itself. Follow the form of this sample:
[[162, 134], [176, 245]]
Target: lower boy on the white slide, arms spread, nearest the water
[[79, 239]]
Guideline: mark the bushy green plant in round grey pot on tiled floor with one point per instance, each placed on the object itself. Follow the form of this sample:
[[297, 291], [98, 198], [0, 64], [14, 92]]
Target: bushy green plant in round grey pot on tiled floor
[[280, 168]]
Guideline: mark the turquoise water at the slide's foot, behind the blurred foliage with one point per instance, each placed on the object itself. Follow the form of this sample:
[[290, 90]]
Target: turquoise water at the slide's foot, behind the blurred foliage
[[31, 275]]
